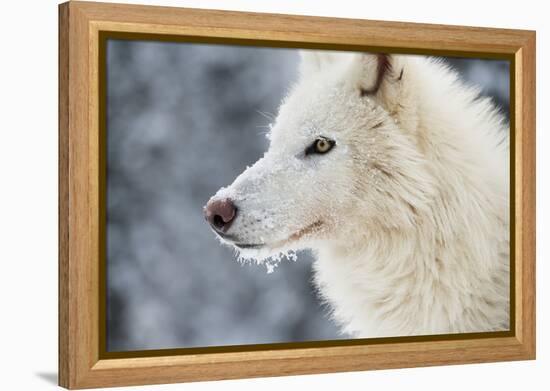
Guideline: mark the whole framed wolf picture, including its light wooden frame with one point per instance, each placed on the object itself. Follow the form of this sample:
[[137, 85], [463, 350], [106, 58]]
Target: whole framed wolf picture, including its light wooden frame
[[248, 195]]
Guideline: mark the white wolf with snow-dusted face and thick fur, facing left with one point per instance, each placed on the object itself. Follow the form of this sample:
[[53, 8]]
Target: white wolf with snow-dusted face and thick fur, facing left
[[395, 173]]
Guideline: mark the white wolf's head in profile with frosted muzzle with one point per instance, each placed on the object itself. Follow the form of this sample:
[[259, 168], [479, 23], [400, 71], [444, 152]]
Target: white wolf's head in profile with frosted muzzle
[[343, 159]]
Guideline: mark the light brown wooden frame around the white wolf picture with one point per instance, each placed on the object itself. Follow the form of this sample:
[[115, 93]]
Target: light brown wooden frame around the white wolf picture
[[83, 28]]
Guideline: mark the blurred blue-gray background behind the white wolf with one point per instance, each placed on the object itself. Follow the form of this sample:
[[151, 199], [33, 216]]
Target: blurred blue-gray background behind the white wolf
[[182, 121]]
